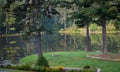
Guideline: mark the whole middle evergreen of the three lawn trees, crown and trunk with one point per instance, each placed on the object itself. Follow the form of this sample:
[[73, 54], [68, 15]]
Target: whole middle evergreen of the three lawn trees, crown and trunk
[[83, 17]]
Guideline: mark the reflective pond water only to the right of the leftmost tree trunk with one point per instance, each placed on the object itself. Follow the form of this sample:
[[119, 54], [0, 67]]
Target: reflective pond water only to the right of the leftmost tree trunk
[[75, 42]]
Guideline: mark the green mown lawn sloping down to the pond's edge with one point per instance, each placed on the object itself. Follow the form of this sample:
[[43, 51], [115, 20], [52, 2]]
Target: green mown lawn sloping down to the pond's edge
[[75, 59]]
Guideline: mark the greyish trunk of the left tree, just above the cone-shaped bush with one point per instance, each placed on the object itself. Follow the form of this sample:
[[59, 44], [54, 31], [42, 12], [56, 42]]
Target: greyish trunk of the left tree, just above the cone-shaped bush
[[38, 43]]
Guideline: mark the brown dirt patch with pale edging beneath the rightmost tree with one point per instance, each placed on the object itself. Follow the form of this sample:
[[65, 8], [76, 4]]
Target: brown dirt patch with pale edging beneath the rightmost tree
[[106, 57]]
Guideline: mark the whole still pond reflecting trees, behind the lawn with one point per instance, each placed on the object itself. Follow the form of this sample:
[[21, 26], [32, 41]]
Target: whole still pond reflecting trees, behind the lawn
[[14, 47]]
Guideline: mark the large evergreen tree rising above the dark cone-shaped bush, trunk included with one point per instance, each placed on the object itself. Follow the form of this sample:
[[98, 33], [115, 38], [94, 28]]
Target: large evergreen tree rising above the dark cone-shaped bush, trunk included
[[34, 16]]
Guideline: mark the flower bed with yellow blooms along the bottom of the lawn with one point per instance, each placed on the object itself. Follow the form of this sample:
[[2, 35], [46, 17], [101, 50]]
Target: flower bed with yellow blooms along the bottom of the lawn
[[37, 68]]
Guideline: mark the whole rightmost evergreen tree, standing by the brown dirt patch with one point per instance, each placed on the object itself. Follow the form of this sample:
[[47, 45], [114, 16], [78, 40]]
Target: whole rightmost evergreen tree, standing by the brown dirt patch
[[105, 10]]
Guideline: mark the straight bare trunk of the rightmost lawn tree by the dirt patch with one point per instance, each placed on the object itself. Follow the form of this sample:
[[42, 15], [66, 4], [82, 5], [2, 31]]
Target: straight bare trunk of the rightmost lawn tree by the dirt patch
[[104, 49]]
